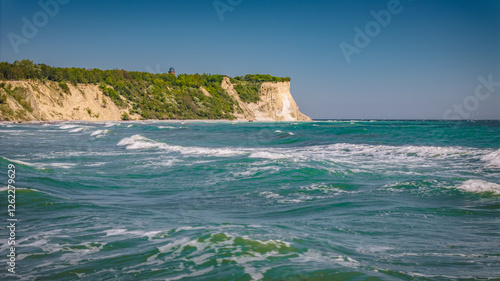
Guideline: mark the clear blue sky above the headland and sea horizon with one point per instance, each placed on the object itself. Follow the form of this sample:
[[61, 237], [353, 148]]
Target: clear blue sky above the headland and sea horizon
[[347, 59]]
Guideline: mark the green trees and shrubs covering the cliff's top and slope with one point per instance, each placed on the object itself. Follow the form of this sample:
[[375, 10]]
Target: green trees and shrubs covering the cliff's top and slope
[[152, 96]]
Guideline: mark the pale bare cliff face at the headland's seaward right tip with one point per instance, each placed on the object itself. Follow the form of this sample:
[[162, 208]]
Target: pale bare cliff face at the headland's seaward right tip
[[276, 103]]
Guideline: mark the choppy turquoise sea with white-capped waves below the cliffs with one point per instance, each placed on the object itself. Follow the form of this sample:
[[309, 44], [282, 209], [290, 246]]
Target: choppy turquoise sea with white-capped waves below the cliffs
[[325, 200]]
